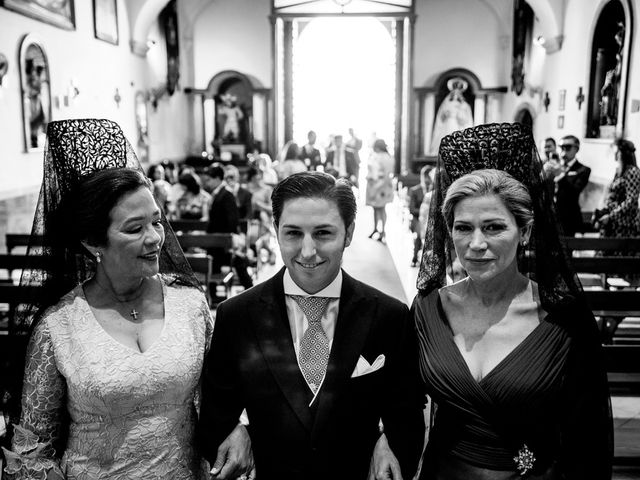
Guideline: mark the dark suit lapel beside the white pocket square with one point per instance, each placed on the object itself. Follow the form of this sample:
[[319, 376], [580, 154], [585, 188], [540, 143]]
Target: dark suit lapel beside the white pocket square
[[354, 320]]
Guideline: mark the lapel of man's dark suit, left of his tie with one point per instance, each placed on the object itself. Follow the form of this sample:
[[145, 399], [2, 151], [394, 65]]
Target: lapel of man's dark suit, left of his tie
[[274, 336]]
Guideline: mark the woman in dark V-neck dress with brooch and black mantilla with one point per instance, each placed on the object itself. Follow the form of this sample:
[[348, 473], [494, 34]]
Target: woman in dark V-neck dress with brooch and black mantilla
[[510, 355]]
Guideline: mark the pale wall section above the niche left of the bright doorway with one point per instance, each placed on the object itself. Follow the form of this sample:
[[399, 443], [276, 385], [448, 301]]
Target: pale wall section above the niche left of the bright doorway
[[233, 35]]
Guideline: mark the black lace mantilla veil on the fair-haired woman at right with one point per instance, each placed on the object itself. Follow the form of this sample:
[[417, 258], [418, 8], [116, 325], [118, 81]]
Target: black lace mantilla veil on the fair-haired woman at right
[[510, 147]]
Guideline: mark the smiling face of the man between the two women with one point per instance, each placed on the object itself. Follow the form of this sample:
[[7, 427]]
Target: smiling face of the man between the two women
[[312, 238]]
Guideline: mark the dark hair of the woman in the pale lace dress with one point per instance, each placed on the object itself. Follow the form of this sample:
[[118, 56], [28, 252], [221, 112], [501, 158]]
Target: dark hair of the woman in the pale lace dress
[[87, 209]]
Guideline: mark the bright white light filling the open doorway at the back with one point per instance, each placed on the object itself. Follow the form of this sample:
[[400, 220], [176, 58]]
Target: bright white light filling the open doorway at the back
[[344, 77]]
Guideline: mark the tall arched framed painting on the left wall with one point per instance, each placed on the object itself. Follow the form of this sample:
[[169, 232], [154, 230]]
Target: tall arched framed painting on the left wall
[[36, 92]]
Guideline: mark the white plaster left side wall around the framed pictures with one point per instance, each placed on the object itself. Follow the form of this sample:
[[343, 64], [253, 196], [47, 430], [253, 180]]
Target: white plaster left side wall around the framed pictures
[[97, 69]]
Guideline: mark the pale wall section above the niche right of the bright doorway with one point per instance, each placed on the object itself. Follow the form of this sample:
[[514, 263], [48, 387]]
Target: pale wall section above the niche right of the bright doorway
[[460, 33]]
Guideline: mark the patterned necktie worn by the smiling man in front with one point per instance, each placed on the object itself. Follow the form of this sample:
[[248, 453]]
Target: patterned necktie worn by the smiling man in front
[[314, 346]]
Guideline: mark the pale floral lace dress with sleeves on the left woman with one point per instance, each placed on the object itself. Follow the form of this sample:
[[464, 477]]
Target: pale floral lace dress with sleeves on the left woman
[[128, 414]]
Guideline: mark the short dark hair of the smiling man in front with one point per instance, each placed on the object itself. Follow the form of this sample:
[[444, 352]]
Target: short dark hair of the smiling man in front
[[315, 185]]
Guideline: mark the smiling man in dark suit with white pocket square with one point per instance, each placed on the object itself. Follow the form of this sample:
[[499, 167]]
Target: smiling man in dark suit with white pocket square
[[324, 365]]
